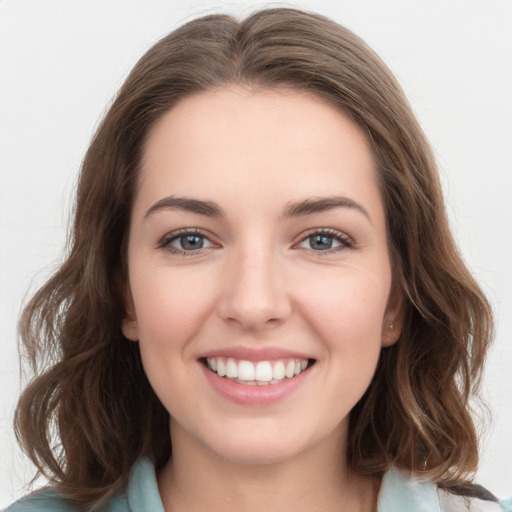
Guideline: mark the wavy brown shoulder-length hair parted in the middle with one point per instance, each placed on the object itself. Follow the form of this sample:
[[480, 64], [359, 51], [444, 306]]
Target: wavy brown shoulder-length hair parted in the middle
[[76, 418]]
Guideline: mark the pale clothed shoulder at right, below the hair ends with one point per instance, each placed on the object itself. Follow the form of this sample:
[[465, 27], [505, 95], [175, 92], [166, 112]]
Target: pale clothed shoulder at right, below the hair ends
[[400, 491]]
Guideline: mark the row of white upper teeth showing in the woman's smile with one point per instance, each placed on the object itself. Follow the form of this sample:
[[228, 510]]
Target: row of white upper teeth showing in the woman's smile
[[262, 372]]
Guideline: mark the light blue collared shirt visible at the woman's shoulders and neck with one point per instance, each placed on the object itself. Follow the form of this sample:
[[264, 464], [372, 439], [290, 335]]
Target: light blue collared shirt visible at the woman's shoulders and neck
[[399, 493]]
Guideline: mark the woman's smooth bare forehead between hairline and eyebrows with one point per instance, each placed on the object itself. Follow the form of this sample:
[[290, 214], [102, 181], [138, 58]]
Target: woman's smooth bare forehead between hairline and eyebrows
[[234, 142]]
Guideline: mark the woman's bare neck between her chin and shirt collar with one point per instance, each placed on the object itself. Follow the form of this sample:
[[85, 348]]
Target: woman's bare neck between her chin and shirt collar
[[196, 479]]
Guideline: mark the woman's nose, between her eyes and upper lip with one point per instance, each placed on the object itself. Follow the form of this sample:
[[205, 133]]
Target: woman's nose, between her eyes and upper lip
[[254, 293]]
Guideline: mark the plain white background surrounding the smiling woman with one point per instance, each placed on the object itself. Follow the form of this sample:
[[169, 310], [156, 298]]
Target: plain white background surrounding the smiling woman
[[61, 62]]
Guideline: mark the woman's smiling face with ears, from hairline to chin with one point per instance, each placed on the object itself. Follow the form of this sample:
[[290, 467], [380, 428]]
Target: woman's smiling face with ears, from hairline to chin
[[259, 274]]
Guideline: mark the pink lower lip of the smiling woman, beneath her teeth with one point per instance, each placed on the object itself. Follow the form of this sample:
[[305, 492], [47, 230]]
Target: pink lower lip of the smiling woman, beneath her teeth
[[254, 395]]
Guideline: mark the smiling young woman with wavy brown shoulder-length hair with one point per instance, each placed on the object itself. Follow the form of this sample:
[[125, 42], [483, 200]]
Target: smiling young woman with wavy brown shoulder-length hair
[[263, 306]]
